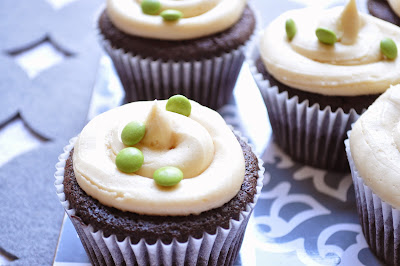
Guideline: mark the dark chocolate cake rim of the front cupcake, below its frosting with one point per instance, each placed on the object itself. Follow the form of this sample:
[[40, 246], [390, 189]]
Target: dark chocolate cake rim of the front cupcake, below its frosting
[[126, 224]]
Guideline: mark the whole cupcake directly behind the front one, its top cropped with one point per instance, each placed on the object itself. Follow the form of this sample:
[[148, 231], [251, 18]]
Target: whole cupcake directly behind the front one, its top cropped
[[197, 51]]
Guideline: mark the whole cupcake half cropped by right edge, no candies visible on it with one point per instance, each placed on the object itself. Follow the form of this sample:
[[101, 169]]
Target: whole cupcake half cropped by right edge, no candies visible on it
[[373, 151]]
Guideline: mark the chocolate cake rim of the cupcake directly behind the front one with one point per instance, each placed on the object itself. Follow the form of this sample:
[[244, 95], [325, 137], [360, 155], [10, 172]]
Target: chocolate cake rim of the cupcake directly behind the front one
[[187, 50]]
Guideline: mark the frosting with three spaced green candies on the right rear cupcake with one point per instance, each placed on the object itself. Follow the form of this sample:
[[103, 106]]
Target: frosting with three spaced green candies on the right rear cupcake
[[332, 52]]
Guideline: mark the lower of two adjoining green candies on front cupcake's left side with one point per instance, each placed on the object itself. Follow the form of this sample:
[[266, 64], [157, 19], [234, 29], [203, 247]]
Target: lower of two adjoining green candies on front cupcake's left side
[[129, 160]]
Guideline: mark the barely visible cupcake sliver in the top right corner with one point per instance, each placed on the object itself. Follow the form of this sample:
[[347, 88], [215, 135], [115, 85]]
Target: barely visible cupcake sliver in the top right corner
[[388, 10]]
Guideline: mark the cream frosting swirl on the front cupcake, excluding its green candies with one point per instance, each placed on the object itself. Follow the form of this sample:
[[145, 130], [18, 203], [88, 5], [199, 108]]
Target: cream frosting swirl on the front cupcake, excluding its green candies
[[201, 145]]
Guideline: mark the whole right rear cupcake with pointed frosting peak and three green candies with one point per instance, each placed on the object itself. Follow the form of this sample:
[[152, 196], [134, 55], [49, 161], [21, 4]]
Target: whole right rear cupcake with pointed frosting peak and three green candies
[[318, 75]]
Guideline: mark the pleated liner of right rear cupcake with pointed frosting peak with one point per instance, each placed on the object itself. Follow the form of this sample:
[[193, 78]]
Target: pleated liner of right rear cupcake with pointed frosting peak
[[308, 134]]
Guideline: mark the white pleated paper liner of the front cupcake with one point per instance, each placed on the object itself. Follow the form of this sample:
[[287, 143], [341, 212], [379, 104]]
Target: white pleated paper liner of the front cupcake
[[220, 248]]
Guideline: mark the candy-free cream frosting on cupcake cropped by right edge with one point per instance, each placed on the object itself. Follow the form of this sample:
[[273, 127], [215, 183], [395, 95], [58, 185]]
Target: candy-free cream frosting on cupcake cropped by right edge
[[375, 146]]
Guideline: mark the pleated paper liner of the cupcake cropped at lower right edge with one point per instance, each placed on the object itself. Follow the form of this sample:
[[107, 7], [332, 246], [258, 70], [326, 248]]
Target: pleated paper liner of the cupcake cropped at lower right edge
[[379, 220]]
